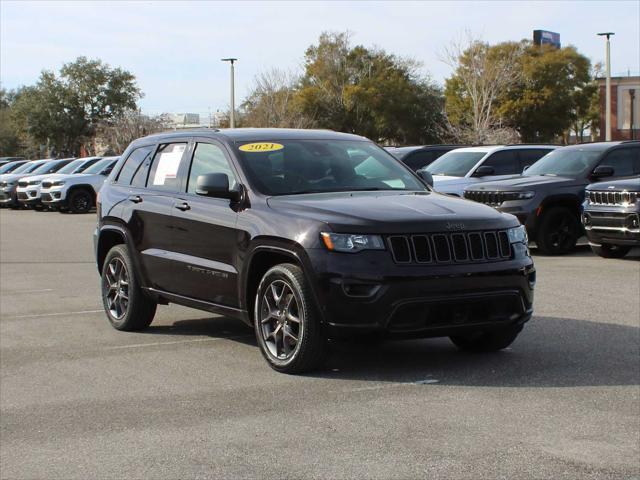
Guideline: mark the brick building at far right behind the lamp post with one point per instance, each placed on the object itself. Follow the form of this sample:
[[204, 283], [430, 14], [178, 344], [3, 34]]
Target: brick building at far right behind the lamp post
[[625, 108]]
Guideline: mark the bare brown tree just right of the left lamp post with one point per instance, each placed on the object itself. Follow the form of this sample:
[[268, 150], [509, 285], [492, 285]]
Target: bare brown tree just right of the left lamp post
[[271, 102]]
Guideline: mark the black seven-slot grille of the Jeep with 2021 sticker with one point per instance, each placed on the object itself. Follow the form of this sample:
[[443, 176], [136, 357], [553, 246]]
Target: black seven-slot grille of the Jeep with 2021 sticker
[[456, 247]]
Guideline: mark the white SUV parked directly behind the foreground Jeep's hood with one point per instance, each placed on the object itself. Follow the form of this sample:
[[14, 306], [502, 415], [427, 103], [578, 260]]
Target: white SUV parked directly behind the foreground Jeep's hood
[[457, 169]]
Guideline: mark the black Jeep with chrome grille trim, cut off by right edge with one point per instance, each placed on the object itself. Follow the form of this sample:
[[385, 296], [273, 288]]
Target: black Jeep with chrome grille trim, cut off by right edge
[[611, 217]]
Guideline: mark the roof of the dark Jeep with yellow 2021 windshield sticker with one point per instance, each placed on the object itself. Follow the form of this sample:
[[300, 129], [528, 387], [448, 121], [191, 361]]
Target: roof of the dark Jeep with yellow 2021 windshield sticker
[[258, 134]]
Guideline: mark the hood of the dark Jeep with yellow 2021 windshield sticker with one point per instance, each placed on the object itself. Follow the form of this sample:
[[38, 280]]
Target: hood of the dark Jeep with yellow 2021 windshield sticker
[[391, 212]]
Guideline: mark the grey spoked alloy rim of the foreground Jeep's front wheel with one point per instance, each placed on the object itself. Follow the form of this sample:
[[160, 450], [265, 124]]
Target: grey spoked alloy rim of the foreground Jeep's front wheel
[[281, 321]]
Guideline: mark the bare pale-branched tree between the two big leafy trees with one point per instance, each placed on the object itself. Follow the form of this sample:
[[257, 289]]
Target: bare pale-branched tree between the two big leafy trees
[[482, 73]]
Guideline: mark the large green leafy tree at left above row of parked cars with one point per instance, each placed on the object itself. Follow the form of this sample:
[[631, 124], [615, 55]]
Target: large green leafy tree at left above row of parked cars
[[64, 111]]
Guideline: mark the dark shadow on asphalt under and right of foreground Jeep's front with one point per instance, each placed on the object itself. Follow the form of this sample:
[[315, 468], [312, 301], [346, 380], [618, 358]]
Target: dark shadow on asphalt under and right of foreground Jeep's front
[[550, 352]]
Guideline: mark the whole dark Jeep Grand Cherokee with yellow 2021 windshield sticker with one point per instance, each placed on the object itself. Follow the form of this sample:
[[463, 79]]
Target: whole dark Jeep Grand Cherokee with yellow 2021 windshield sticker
[[305, 235]]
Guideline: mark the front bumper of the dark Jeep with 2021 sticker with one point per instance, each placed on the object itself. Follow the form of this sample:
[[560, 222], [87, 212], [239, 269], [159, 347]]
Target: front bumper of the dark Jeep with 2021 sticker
[[368, 292]]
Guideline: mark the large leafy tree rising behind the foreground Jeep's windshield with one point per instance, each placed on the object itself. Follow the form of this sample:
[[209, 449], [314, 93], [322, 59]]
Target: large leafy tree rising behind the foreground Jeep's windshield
[[368, 92]]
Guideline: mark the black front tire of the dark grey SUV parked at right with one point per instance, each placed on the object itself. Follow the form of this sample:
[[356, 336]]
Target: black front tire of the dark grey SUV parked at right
[[559, 231]]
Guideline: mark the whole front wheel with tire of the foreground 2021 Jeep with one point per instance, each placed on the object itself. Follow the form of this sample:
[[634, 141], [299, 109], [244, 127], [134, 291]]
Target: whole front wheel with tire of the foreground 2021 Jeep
[[286, 321]]
